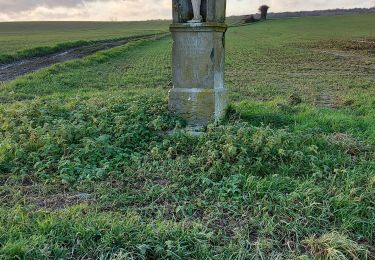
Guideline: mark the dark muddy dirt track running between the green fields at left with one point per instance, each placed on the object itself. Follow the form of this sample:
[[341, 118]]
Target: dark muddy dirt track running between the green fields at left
[[13, 70]]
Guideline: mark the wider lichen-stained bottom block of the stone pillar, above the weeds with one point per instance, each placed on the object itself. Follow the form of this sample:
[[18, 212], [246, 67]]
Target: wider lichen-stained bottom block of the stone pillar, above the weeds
[[198, 106]]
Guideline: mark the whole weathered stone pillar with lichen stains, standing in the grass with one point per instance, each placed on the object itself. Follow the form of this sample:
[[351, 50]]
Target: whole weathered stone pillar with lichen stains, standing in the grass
[[198, 93]]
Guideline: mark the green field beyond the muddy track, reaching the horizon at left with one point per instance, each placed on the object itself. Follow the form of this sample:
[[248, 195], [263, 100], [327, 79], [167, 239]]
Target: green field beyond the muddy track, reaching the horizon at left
[[49, 37]]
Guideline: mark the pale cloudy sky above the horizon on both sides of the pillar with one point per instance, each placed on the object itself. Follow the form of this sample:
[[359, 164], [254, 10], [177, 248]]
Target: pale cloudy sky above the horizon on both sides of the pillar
[[21, 10]]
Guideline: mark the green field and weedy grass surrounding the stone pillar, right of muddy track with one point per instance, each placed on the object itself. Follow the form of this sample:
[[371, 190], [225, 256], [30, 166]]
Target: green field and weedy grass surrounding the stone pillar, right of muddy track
[[88, 171]]
